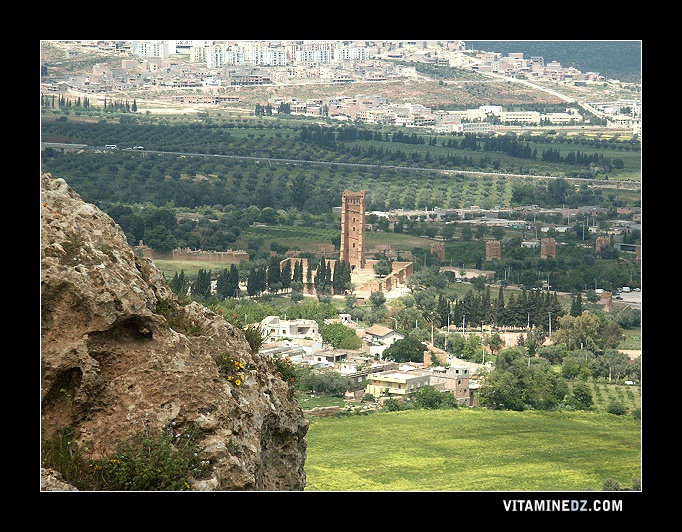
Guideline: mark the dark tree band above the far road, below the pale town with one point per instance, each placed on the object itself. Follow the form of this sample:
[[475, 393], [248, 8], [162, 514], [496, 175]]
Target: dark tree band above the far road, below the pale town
[[330, 142]]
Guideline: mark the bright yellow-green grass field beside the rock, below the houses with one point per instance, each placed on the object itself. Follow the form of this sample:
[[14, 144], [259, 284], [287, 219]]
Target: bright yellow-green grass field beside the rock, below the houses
[[473, 450]]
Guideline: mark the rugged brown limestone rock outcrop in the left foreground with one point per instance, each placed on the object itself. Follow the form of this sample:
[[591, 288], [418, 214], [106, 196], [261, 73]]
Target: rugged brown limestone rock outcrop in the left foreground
[[120, 355]]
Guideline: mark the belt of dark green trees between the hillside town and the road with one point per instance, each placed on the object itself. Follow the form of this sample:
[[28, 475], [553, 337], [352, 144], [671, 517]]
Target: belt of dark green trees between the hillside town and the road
[[212, 138]]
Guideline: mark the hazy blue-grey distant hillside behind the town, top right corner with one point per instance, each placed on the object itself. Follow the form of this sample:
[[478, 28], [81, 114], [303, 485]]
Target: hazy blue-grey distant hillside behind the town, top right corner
[[612, 59]]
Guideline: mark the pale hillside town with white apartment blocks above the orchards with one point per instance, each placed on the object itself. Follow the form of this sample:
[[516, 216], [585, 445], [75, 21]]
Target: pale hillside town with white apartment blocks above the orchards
[[205, 65]]
